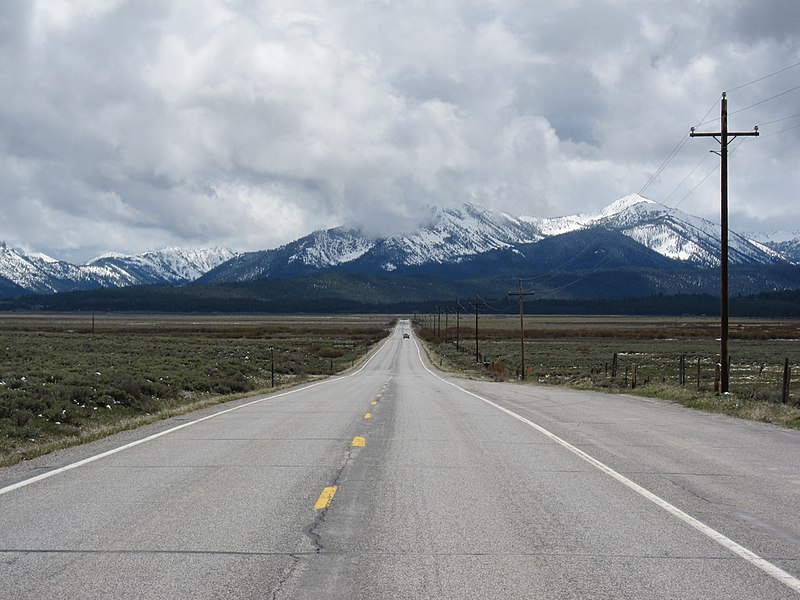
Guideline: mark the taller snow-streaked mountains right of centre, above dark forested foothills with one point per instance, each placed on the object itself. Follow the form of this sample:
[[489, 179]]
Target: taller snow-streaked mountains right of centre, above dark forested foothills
[[457, 235]]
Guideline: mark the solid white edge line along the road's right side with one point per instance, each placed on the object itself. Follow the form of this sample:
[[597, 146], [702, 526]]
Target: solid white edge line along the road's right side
[[770, 569]]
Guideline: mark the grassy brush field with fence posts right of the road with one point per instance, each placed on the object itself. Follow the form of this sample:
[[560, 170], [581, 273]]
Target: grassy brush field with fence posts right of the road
[[579, 352]]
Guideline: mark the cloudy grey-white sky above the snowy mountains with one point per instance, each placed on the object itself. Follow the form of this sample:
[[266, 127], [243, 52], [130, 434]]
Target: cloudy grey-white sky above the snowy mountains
[[131, 125]]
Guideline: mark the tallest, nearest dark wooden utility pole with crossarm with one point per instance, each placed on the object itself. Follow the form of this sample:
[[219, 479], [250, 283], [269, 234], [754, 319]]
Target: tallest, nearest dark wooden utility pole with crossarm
[[723, 137]]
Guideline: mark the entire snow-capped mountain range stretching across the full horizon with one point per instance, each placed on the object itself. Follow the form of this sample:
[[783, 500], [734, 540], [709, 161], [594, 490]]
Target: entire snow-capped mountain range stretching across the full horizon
[[634, 246]]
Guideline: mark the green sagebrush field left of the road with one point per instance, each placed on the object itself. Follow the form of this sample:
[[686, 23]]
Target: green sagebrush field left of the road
[[66, 379]]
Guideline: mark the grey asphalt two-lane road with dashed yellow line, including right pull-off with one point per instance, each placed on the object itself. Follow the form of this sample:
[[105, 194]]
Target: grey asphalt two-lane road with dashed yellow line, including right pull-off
[[397, 481]]
